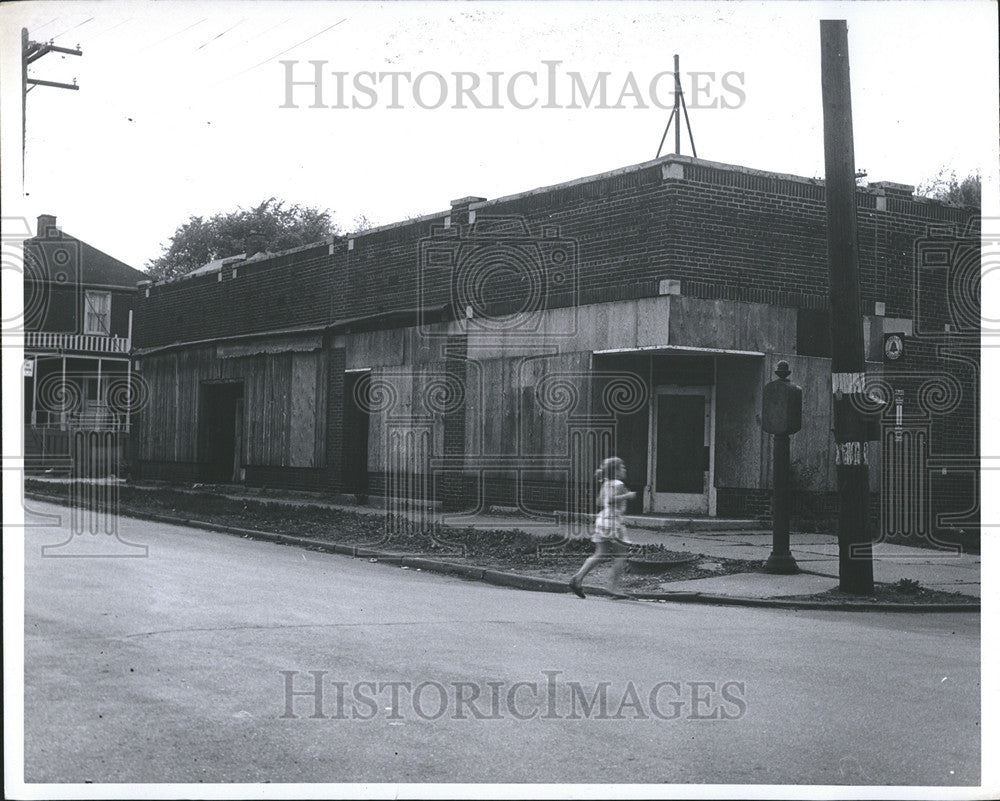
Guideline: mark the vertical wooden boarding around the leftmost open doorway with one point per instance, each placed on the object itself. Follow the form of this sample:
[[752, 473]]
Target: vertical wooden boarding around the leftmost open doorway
[[284, 398]]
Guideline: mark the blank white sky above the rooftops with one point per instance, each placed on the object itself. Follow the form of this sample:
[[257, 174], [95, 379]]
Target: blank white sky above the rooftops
[[178, 111]]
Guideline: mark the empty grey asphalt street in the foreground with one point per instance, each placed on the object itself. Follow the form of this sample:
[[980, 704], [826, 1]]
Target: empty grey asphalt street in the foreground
[[216, 658]]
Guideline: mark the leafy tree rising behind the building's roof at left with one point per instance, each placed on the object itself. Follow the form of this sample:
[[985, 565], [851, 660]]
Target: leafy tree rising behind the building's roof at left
[[270, 226]]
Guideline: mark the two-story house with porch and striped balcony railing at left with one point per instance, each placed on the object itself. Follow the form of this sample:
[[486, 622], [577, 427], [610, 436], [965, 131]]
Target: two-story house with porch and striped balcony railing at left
[[78, 383]]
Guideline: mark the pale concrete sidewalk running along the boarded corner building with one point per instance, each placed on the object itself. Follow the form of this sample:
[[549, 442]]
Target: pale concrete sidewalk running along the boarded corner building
[[816, 554]]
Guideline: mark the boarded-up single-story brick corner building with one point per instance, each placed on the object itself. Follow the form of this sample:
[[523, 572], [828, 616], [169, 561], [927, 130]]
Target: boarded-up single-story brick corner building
[[494, 352]]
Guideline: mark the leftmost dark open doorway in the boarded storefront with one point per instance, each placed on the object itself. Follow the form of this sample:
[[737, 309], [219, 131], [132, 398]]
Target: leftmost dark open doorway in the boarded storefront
[[221, 432]]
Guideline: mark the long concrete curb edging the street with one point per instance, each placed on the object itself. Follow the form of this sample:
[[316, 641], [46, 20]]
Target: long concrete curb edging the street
[[519, 581]]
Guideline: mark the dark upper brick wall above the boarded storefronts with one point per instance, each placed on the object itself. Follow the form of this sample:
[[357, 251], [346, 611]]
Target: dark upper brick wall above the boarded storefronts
[[723, 233]]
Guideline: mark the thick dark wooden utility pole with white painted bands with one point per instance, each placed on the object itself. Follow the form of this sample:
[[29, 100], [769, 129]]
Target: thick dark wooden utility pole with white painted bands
[[848, 358]]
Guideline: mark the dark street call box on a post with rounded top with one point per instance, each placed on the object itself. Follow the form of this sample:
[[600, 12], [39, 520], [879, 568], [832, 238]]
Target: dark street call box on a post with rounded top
[[781, 416]]
